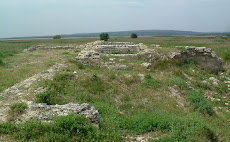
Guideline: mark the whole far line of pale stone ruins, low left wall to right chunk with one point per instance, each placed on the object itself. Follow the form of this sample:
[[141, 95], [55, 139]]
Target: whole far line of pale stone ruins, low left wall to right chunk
[[91, 54]]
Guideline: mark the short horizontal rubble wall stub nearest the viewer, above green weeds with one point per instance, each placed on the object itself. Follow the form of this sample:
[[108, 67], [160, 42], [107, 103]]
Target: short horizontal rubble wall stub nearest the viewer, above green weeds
[[46, 112]]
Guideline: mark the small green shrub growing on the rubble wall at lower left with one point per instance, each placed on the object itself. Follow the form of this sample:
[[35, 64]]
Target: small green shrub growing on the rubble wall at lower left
[[17, 108]]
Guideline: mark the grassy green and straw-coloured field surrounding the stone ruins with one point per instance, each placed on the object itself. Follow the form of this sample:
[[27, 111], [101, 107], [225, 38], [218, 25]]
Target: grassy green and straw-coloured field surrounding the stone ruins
[[162, 105]]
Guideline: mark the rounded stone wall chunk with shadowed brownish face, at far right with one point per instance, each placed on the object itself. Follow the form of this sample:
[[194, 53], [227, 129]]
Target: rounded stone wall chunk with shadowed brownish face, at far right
[[205, 57]]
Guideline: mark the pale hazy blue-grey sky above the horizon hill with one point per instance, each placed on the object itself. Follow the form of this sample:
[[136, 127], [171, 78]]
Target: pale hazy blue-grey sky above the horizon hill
[[19, 18]]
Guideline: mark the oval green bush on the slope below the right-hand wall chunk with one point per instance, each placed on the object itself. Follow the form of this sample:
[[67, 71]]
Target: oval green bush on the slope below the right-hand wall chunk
[[199, 103]]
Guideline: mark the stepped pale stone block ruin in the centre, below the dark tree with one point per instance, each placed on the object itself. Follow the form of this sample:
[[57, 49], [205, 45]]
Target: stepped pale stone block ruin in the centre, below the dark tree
[[93, 51]]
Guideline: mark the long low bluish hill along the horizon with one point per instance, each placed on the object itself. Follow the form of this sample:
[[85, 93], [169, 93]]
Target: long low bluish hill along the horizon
[[128, 33]]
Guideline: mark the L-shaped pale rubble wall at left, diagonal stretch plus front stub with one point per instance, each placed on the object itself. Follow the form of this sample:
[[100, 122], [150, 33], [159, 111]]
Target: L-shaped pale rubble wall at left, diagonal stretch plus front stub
[[43, 112]]
